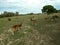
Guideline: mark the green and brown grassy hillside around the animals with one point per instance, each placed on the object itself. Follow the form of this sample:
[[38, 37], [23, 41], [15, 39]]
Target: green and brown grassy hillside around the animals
[[42, 32]]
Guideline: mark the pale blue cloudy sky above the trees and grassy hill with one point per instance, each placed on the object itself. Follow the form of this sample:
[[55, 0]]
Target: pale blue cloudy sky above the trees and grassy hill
[[27, 6]]
